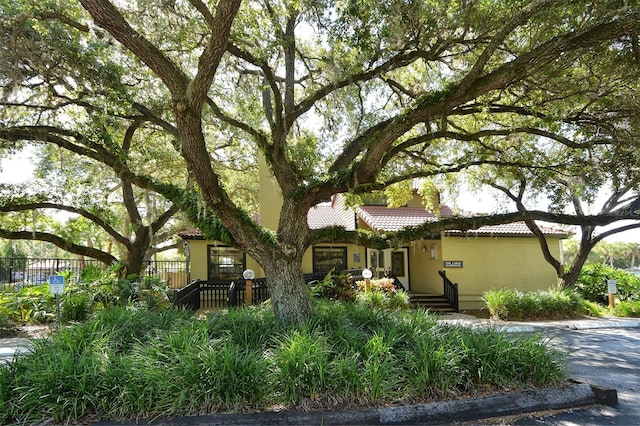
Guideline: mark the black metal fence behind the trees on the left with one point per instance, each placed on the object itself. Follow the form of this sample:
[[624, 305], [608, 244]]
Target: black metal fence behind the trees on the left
[[34, 271]]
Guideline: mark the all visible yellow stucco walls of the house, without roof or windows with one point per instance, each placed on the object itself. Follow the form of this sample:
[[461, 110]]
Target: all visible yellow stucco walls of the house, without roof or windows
[[488, 263]]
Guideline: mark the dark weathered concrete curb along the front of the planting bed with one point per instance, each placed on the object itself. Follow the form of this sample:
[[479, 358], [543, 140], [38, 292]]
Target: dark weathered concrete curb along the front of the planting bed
[[572, 395]]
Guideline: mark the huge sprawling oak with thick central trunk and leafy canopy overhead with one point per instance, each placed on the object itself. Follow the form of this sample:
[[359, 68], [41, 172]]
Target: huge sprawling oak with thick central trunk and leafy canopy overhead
[[336, 97]]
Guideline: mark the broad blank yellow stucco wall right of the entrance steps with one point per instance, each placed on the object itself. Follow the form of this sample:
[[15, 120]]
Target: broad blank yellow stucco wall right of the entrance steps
[[497, 262]]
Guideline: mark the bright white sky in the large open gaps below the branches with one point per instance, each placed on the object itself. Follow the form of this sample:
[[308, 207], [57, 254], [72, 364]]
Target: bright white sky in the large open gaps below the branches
[[19, 168]]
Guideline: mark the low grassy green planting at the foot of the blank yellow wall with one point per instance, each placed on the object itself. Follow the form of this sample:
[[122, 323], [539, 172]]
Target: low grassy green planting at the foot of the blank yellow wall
[[514, 305]]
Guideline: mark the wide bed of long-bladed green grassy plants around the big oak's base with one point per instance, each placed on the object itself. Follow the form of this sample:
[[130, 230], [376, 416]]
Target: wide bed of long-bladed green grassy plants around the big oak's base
[[128, 363]]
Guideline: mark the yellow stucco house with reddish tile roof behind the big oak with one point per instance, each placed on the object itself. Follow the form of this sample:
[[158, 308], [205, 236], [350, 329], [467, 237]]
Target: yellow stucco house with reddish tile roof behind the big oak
[[491, 257]]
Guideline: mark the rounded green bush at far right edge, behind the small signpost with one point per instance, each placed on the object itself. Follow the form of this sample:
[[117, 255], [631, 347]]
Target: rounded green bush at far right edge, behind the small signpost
[[592, 283]]
